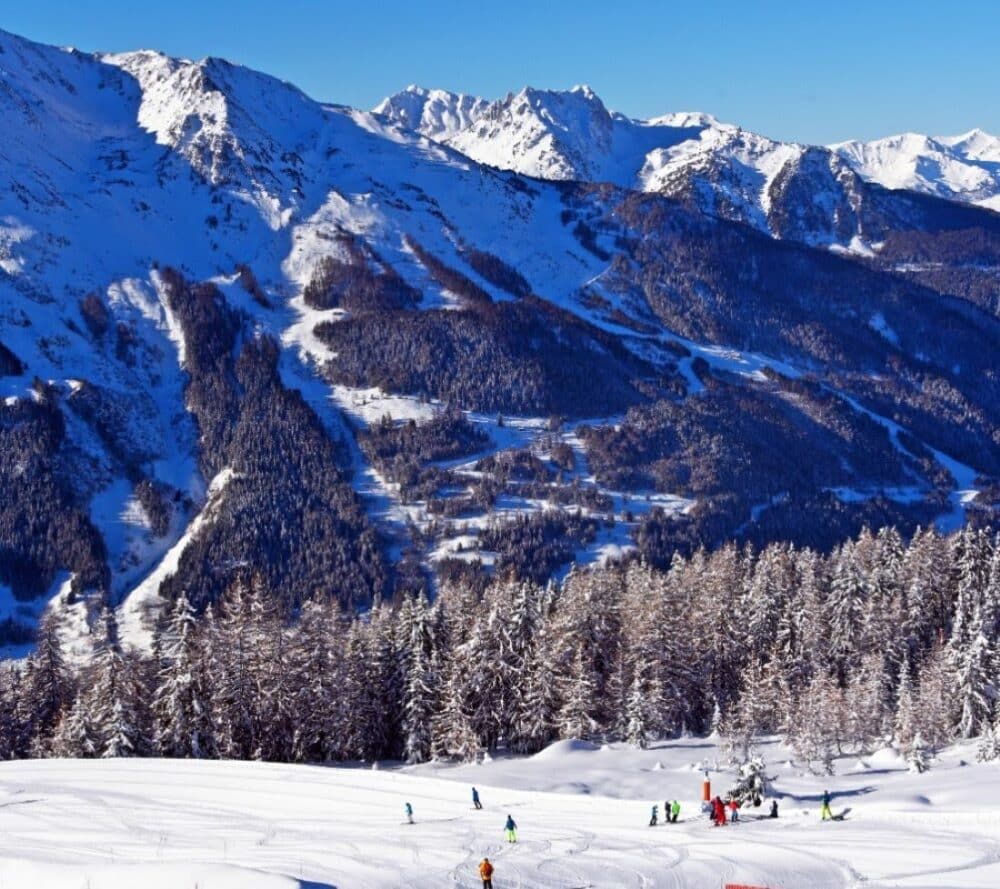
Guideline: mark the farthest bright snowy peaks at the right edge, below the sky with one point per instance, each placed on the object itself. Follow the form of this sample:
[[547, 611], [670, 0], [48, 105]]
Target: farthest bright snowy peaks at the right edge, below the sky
[[961, 168]]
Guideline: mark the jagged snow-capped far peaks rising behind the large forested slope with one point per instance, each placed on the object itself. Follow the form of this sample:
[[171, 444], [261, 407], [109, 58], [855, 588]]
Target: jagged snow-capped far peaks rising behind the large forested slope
[[720, 168]]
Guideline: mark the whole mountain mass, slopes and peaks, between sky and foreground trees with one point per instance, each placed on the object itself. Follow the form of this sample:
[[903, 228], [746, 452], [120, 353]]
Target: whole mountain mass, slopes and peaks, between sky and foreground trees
[[362, 353]]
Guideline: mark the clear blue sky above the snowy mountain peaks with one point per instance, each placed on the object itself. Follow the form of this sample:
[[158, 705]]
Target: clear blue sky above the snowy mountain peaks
[[805, 70]]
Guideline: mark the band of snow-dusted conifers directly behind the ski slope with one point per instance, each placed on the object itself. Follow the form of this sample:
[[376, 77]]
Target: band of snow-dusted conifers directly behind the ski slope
[[881, 641]]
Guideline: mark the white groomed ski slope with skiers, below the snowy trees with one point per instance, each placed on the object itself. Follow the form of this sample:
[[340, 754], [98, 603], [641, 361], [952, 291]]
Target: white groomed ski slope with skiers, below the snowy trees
[[582, 814]]
